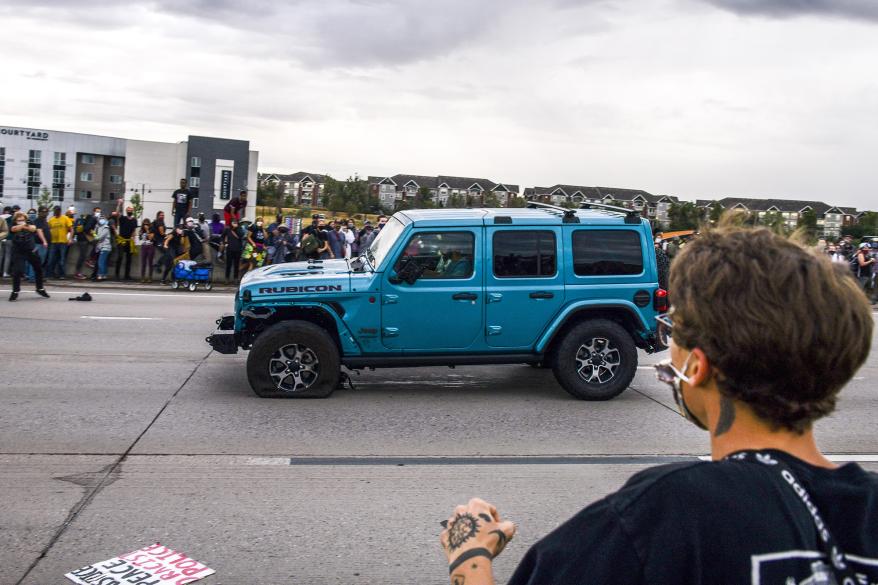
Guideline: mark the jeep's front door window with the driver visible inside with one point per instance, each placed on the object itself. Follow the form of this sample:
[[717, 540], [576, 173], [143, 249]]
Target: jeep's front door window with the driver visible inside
[[442, 255]]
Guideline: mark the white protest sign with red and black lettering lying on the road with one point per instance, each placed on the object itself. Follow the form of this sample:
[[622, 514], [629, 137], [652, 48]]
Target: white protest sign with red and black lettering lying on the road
[[152, 565]]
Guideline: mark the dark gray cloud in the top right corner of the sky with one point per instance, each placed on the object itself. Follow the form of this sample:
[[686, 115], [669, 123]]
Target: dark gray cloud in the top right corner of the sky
[[852, 9]]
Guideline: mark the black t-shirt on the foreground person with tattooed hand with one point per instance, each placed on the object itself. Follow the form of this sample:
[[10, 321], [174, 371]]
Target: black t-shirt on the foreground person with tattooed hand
[[732, 522]]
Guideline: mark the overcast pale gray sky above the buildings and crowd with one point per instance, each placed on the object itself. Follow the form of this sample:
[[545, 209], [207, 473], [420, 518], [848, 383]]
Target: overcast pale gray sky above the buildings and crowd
[[696, 98]]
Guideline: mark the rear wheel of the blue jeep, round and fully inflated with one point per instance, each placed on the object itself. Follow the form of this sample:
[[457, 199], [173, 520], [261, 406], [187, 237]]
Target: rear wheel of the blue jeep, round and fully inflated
[[596, 360]]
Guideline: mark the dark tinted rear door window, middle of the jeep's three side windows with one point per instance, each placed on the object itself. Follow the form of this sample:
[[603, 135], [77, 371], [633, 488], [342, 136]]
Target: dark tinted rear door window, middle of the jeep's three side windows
[[520, 254]]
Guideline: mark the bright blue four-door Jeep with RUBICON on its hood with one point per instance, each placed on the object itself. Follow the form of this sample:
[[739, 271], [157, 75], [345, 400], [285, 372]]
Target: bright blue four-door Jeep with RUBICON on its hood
[[574, 290]]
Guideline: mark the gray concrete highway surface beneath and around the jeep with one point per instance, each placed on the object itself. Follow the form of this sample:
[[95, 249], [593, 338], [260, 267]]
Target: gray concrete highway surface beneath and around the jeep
[[119, 428]]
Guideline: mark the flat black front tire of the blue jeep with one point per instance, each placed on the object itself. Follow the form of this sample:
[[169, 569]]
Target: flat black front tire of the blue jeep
[[266, 350]]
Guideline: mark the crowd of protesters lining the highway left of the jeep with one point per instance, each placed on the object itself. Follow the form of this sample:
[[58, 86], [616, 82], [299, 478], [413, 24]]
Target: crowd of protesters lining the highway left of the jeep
[[35, 245]]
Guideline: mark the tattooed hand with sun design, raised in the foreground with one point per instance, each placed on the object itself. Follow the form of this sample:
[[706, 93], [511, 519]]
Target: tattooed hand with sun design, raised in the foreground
[[474, 530]]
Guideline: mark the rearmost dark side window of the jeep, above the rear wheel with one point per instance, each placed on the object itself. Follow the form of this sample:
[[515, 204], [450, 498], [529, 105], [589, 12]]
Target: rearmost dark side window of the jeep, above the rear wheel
[[606, 252]]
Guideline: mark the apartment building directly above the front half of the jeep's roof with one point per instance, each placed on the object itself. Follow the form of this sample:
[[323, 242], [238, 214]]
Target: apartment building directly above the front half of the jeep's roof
[[444, 190]]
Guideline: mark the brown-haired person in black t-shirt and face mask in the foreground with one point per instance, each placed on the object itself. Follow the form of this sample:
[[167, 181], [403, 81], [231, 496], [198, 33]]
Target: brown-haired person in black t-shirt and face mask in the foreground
[[756, 374]]
